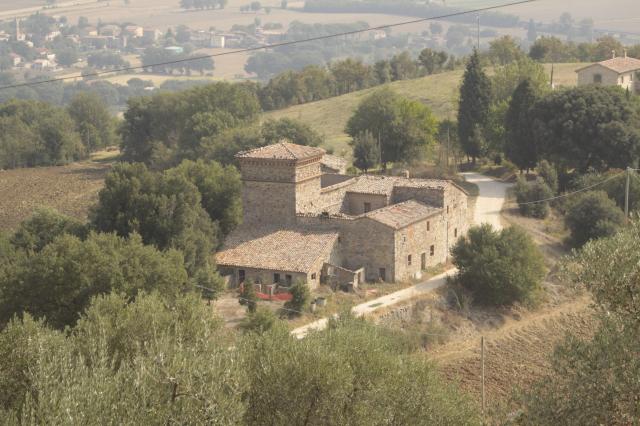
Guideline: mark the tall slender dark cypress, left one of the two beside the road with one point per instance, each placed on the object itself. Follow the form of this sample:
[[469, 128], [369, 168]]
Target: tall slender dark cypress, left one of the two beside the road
[[473, 110]]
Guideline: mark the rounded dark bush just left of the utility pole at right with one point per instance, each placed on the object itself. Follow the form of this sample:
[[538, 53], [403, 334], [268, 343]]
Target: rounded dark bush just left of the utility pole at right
[[591, 216]]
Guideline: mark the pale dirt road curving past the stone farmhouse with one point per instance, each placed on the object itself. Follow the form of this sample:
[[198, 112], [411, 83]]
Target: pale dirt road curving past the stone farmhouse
[[492, 195]]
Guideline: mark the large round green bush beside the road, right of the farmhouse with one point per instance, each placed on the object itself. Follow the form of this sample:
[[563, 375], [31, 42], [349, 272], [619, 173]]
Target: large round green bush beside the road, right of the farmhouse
[[498, 267]]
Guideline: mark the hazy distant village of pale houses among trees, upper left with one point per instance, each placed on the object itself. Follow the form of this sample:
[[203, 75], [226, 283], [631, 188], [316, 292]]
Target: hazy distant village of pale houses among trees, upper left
[[24, 49]]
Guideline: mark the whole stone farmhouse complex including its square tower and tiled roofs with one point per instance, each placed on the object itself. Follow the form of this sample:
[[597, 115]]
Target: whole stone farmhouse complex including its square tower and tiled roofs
[[301, 224]]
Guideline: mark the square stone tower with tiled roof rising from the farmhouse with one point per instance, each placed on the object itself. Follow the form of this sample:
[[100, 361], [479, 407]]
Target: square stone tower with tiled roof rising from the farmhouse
[[280, 181]]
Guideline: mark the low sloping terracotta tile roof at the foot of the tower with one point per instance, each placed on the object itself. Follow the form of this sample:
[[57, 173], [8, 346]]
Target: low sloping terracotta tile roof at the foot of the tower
[[293, 250]]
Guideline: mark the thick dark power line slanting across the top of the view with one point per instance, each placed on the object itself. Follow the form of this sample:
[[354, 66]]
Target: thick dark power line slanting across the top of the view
[[269, 46]]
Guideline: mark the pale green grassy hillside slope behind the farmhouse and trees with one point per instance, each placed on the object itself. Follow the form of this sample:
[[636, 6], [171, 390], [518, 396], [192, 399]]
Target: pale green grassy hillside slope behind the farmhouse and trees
[[439, 92]]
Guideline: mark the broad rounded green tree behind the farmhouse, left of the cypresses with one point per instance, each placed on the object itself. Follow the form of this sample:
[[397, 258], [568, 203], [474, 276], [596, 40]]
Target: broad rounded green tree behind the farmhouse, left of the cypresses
[[404, 127]]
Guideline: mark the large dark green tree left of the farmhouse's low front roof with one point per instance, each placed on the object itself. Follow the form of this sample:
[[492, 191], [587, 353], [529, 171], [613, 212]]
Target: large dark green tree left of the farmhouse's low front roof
[[165, 209]]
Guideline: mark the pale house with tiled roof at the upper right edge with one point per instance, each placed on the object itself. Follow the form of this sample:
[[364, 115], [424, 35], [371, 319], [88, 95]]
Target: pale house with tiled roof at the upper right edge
[[617, 71]]
